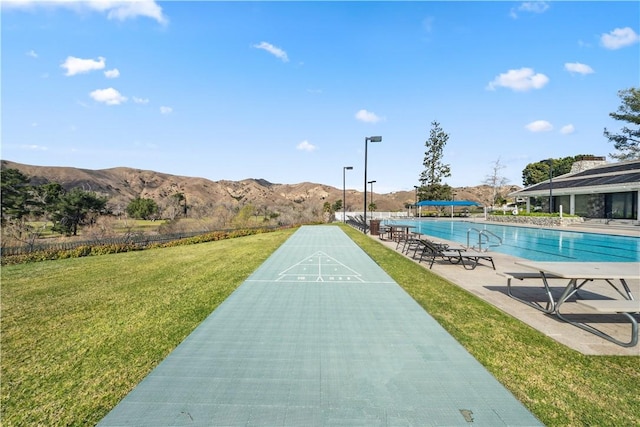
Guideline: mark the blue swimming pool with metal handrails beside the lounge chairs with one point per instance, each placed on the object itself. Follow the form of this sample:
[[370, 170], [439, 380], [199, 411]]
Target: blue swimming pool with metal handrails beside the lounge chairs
[[538, 244]]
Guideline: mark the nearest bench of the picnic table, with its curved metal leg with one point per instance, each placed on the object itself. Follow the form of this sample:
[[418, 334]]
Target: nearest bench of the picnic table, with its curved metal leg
[[625, 308]]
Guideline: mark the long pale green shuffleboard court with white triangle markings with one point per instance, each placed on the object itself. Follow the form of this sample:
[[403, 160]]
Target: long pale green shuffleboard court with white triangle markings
[[319, 335]]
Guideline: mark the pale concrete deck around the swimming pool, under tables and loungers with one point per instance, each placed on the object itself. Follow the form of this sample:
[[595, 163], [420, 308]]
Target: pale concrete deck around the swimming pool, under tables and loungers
[[488, 285]]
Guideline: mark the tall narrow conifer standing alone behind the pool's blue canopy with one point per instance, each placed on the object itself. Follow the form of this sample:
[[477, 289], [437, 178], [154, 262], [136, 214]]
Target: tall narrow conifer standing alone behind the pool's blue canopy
[[435, 170]]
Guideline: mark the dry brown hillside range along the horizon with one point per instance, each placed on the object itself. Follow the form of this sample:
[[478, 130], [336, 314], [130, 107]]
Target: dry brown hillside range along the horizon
[[121, 184]]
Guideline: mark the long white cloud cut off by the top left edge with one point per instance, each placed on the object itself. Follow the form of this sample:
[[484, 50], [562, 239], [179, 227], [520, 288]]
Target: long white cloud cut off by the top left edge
[[114, 9]]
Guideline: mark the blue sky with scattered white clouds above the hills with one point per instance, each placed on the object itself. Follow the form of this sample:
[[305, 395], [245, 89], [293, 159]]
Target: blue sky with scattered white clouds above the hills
[[288, 91]]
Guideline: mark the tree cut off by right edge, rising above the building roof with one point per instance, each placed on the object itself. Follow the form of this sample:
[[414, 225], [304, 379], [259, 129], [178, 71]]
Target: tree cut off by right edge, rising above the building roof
[[627, 142]]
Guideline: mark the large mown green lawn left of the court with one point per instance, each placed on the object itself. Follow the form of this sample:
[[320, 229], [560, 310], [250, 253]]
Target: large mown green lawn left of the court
[[79, 334]]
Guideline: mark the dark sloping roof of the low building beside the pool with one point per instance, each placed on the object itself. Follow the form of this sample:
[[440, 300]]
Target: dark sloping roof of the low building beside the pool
[[608, 178]]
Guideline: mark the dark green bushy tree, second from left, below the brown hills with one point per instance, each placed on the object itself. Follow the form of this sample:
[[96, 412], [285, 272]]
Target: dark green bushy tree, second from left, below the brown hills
[[75, 208]]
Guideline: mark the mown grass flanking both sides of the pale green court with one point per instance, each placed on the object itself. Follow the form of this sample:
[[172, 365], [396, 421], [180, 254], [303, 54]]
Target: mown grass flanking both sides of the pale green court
[[79, 334]]
